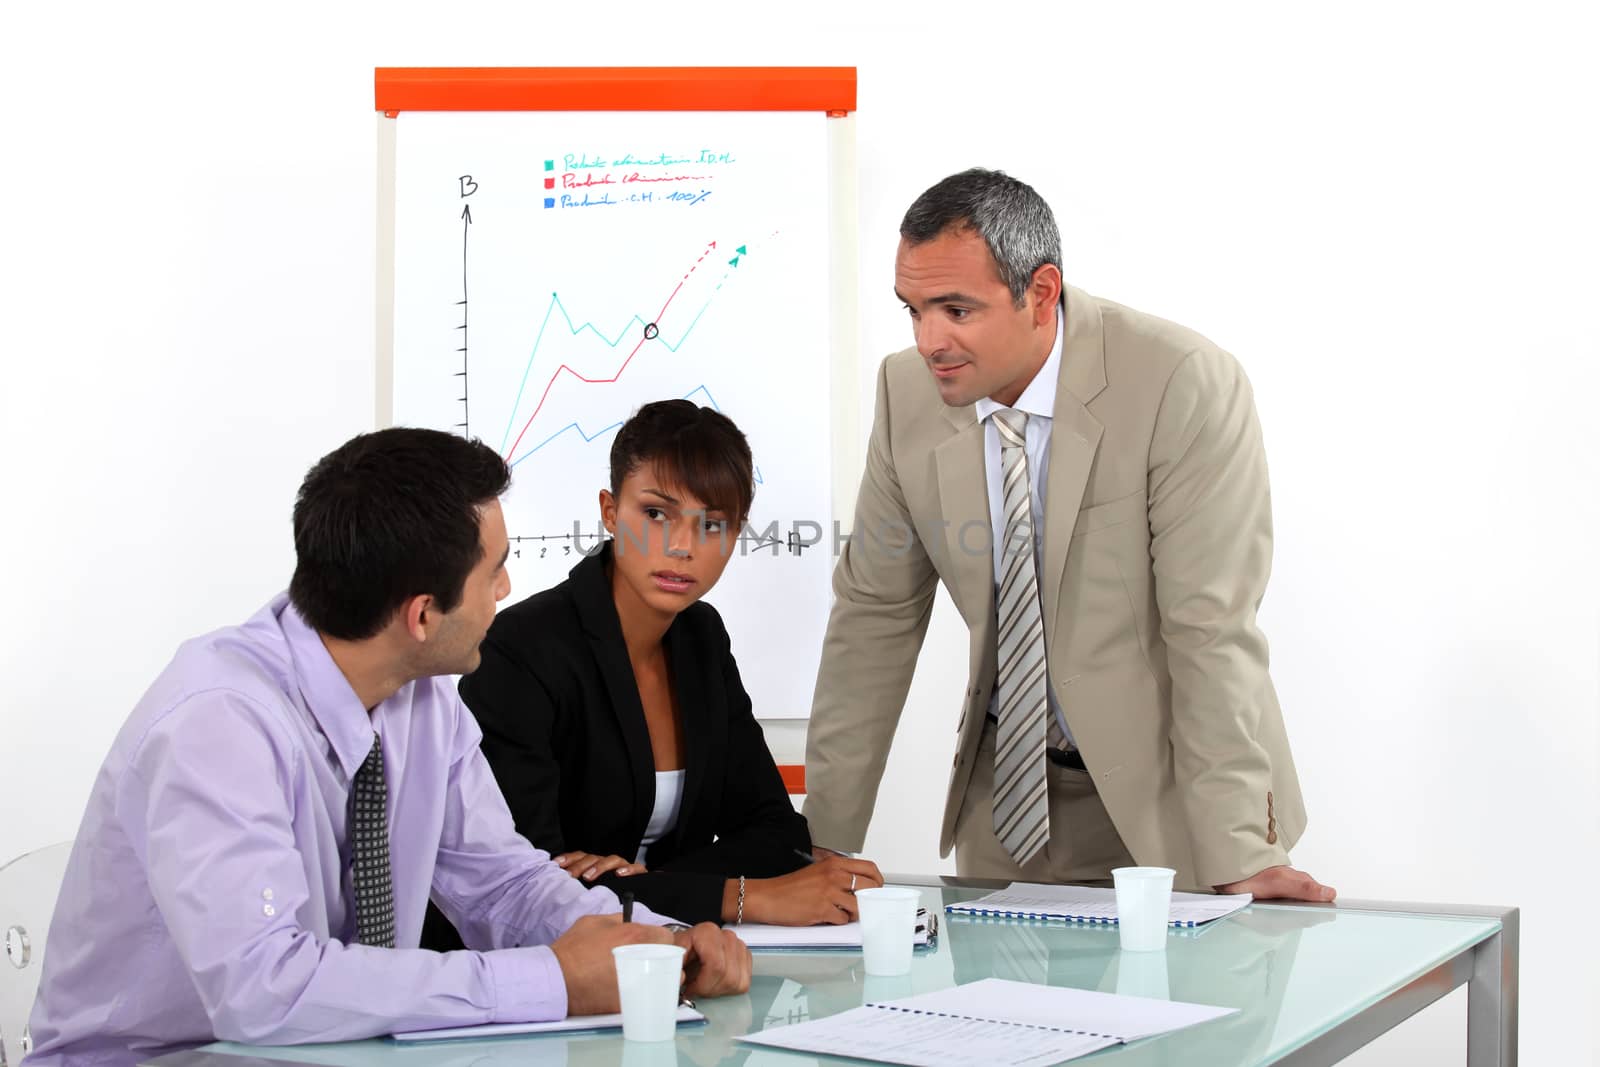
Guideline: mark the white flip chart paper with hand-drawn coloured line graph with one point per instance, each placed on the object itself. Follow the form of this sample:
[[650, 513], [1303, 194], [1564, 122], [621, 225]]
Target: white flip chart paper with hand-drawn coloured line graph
[[580, 318]]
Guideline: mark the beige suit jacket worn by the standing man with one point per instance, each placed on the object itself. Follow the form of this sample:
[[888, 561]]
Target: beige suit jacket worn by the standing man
[[1158, 546]]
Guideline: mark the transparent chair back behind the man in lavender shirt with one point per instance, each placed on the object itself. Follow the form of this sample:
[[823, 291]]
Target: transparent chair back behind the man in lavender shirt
[[28, 897]]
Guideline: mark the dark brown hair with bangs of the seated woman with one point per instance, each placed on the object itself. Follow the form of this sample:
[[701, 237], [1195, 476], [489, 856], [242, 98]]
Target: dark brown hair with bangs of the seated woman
[[697, 449]]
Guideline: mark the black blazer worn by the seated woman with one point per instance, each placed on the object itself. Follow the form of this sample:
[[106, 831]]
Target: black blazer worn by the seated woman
[[566, 733]]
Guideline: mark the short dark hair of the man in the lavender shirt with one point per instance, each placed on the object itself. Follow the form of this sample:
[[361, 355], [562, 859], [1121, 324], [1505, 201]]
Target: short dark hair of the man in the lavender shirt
[[386, 518]]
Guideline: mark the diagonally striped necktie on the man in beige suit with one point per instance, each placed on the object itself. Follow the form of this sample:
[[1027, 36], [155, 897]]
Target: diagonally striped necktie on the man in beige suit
[[1020, 797]]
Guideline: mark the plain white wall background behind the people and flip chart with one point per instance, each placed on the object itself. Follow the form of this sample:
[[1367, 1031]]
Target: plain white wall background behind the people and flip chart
[[1386, 210]]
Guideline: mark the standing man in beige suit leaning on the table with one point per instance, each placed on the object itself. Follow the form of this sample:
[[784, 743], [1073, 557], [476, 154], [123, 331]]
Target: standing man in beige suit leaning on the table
[[1090, 486]]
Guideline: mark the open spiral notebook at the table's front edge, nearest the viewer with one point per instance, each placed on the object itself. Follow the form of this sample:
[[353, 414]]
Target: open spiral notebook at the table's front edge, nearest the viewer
[[986, 1023]]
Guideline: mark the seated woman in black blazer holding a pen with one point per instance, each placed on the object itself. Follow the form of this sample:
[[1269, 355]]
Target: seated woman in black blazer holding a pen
[[614, 714]]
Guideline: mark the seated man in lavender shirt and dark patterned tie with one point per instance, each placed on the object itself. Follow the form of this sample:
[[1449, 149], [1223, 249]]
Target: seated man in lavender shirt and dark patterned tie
[[210, 890]]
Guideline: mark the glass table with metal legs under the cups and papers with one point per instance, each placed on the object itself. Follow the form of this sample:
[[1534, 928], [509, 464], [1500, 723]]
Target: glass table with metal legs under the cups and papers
[[1311, 983]]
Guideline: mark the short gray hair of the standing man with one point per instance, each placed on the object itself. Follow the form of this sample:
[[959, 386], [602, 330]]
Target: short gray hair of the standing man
[[1010, 217]]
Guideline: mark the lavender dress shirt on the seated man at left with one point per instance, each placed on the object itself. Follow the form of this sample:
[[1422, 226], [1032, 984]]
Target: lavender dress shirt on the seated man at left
[[209, 892]]
